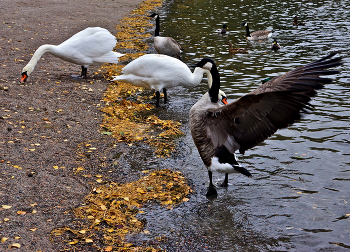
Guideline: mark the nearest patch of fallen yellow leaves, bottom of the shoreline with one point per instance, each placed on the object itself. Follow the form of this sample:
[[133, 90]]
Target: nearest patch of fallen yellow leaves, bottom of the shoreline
[[113, 208]]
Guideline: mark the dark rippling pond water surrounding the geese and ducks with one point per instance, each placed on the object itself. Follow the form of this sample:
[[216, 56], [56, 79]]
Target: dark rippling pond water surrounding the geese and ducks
[[299, 197]]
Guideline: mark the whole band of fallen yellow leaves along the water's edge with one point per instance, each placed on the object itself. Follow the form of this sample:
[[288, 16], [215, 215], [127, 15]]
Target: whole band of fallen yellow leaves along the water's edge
[[111, 211]]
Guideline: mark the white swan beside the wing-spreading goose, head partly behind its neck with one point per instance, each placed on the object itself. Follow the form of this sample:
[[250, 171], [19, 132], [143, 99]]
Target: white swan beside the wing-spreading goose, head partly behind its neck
[[158, 71]]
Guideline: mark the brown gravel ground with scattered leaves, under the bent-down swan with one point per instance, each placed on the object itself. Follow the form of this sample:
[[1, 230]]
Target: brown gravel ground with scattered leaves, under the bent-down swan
[[50, 125]]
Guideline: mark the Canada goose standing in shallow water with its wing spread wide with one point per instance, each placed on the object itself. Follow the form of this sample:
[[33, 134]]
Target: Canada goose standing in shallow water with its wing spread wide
[[218, 131]]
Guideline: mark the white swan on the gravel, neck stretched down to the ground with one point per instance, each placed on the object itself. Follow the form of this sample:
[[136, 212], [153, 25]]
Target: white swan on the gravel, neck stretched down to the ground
[[92, 46]]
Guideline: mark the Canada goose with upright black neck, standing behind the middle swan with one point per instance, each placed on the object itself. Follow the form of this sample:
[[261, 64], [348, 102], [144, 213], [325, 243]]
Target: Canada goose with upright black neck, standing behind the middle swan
[[165, 45]]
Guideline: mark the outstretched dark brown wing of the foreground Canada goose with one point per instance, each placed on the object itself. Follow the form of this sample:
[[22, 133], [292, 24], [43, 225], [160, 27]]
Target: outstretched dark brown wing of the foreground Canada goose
[[274, 105]]
